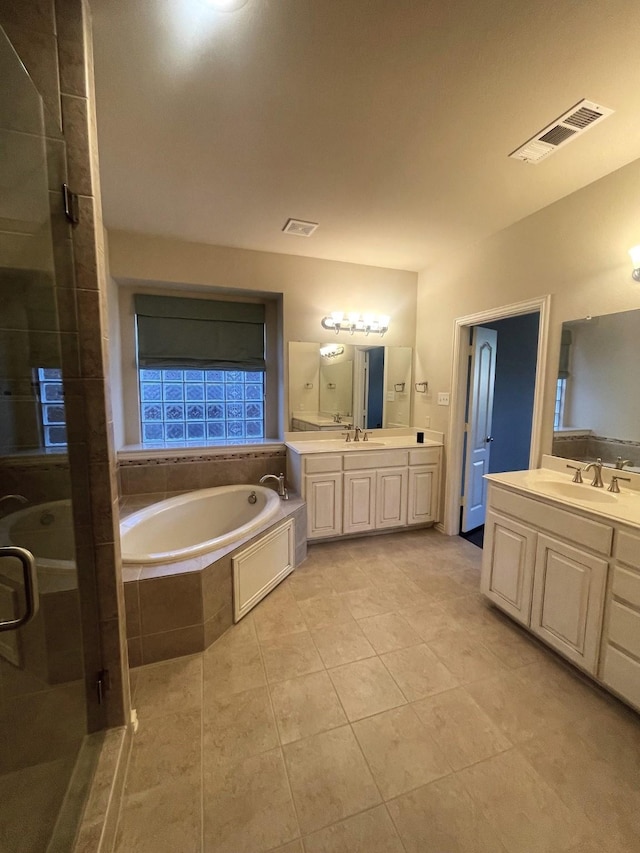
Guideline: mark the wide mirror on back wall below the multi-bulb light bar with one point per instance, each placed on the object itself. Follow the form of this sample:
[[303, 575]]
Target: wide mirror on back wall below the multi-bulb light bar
[[331, 385]]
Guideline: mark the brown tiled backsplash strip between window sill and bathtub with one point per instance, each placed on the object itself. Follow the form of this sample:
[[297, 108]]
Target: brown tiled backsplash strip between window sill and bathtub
[[153, 474]]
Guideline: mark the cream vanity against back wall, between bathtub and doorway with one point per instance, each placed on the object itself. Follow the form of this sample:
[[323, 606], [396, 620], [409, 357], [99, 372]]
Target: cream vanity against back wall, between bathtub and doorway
[[386, 483]]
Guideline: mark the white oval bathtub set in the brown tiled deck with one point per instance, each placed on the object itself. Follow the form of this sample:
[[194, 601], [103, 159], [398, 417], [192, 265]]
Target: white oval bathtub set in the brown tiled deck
[[195, 523]]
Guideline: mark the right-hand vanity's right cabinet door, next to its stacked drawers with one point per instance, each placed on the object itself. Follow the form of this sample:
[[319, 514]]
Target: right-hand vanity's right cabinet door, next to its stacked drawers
[[568, 596]]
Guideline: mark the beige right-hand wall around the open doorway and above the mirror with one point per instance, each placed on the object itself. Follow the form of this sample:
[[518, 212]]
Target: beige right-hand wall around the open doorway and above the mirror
[[575, 250]]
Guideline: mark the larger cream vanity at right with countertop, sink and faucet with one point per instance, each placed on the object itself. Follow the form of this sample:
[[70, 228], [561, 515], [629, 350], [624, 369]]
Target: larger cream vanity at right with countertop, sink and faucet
[[563, 559]]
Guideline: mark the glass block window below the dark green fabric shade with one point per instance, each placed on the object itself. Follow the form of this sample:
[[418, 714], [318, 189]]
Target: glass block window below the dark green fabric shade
[[195, 406]]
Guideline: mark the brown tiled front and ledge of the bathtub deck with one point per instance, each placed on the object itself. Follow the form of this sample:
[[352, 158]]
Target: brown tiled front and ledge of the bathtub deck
[[181, 608]]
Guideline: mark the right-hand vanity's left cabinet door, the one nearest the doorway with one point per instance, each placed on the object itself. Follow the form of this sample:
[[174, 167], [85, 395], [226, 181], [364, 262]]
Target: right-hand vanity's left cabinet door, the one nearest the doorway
[[508, 559]]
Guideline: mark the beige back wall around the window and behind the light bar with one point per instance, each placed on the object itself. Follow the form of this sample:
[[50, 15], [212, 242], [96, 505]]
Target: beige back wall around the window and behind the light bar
[[311, 287]]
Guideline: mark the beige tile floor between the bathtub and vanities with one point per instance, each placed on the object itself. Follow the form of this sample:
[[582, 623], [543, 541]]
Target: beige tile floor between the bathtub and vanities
[[374, 704]]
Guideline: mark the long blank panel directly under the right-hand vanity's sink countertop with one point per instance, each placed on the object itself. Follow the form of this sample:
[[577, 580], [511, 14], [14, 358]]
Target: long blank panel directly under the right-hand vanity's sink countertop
[[575, 528]]
